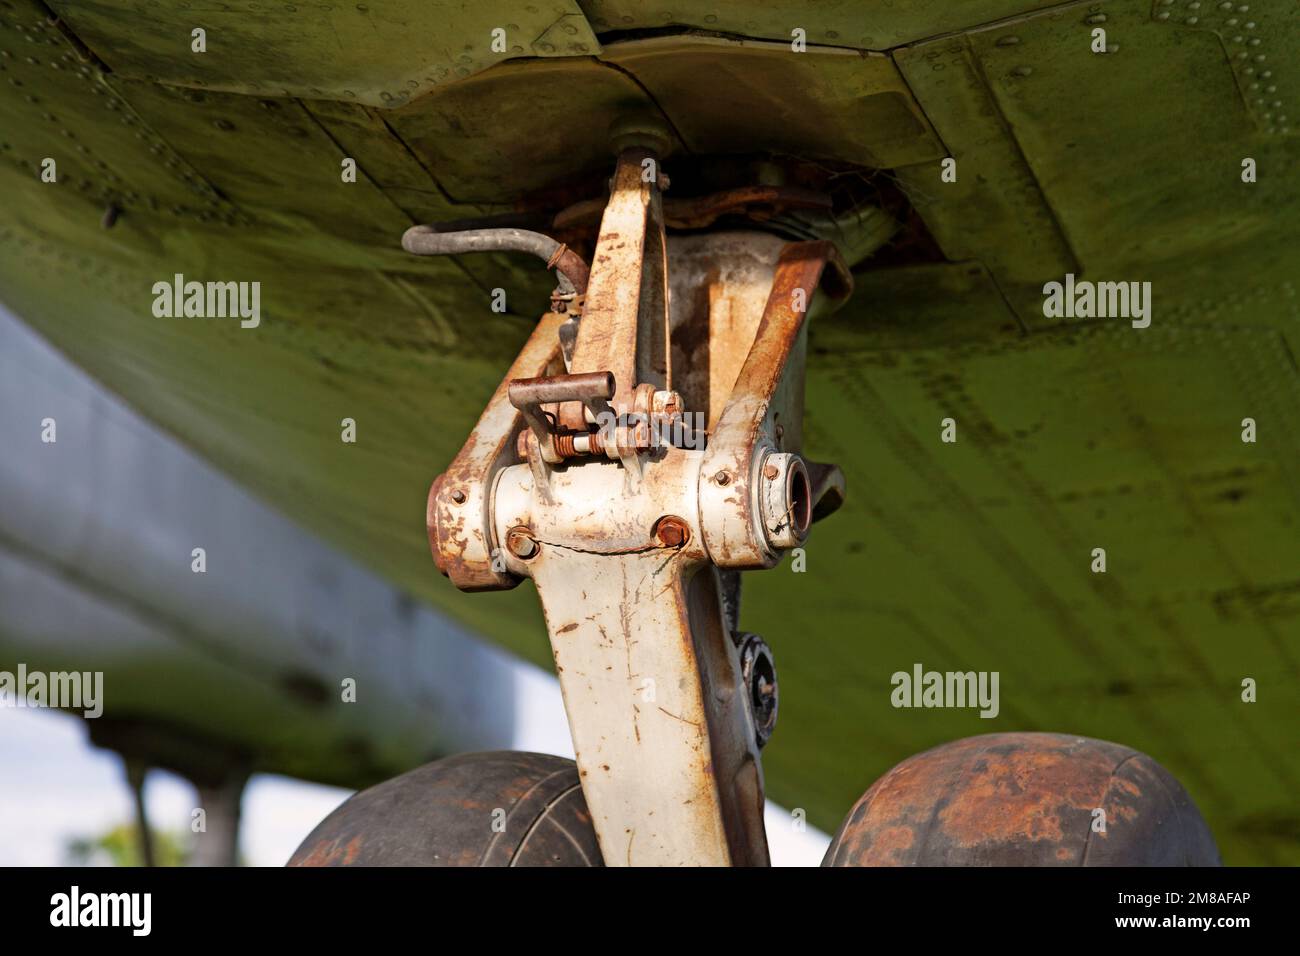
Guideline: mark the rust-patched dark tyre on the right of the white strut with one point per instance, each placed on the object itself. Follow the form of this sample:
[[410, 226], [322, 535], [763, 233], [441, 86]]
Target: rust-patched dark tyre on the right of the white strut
[[1025, 801]]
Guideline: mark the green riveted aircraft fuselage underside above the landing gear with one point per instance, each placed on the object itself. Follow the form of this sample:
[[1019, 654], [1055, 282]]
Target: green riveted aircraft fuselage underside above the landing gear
[[1072, 434]]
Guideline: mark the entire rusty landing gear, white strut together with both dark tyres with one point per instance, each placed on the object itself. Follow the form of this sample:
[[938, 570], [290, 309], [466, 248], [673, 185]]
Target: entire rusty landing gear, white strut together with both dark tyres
[[644, 448]]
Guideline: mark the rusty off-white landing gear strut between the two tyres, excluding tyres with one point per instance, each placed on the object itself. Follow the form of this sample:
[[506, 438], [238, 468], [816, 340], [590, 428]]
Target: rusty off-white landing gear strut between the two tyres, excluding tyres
[[592, 482]]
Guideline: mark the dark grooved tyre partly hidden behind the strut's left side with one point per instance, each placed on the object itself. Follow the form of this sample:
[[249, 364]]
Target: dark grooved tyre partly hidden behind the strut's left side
[[475, 810]]
